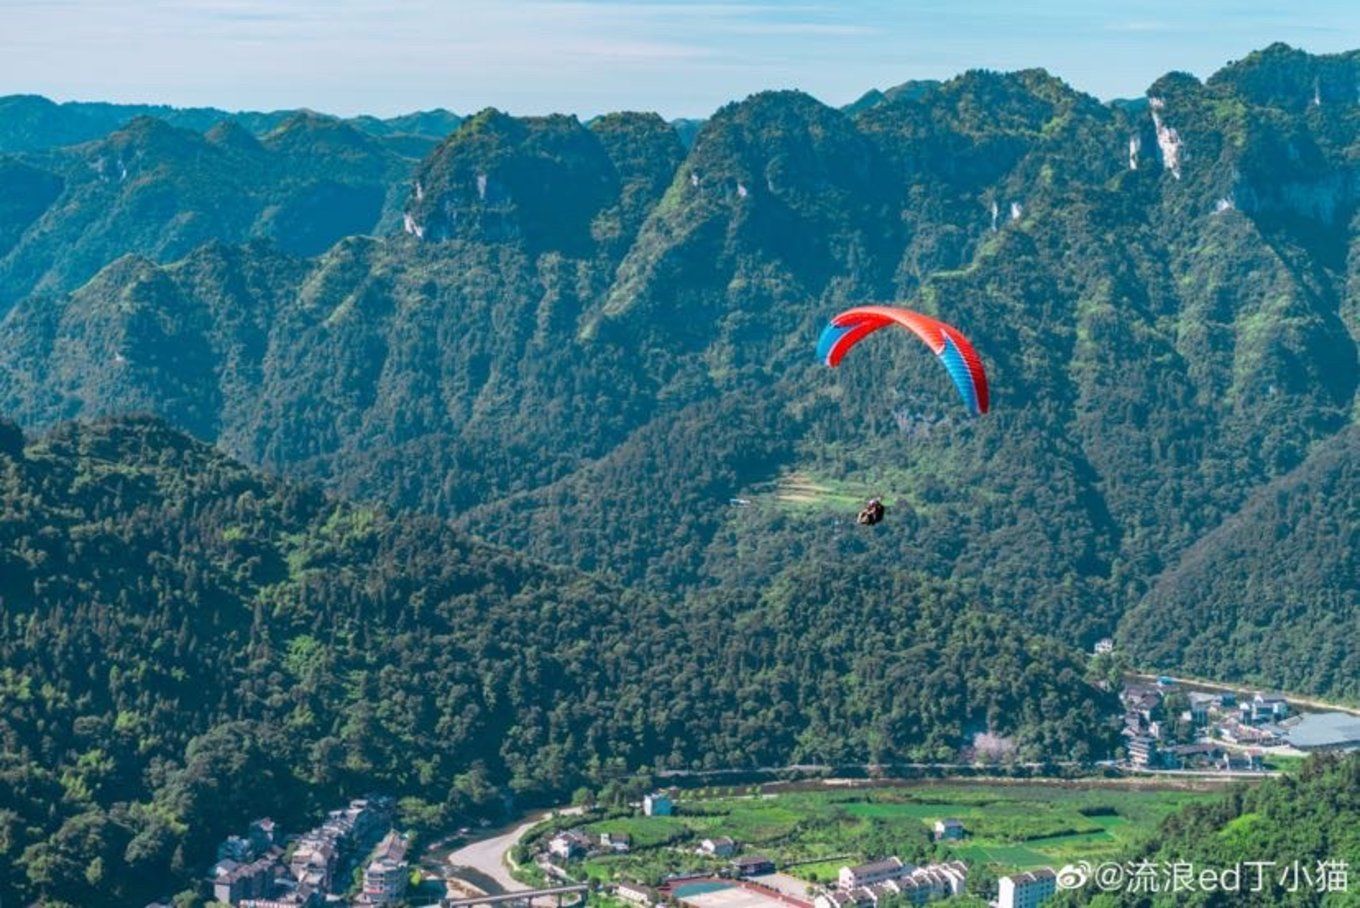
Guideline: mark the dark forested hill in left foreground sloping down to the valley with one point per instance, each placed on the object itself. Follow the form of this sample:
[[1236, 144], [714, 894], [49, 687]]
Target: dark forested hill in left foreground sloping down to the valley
[[186, 644]]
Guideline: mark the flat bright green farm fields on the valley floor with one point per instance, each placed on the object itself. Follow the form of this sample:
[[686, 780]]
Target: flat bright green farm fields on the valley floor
[[1010, 827]]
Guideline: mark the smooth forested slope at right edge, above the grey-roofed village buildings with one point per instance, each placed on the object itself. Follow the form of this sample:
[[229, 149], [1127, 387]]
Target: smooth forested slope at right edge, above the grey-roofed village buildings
[[1290, 621]]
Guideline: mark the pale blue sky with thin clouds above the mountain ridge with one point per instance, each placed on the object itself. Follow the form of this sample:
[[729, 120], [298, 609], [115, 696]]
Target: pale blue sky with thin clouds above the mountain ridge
[[591, 56]]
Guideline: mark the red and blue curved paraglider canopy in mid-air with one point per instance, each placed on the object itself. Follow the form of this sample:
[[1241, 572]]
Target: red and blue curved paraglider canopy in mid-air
[[949, 345]]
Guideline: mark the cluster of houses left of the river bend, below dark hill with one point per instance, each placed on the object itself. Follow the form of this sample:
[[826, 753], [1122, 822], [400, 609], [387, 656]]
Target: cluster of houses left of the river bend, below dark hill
[[258, 872]]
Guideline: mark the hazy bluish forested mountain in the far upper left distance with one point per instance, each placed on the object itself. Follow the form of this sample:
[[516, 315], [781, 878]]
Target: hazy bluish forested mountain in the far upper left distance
[[161, 191]]
